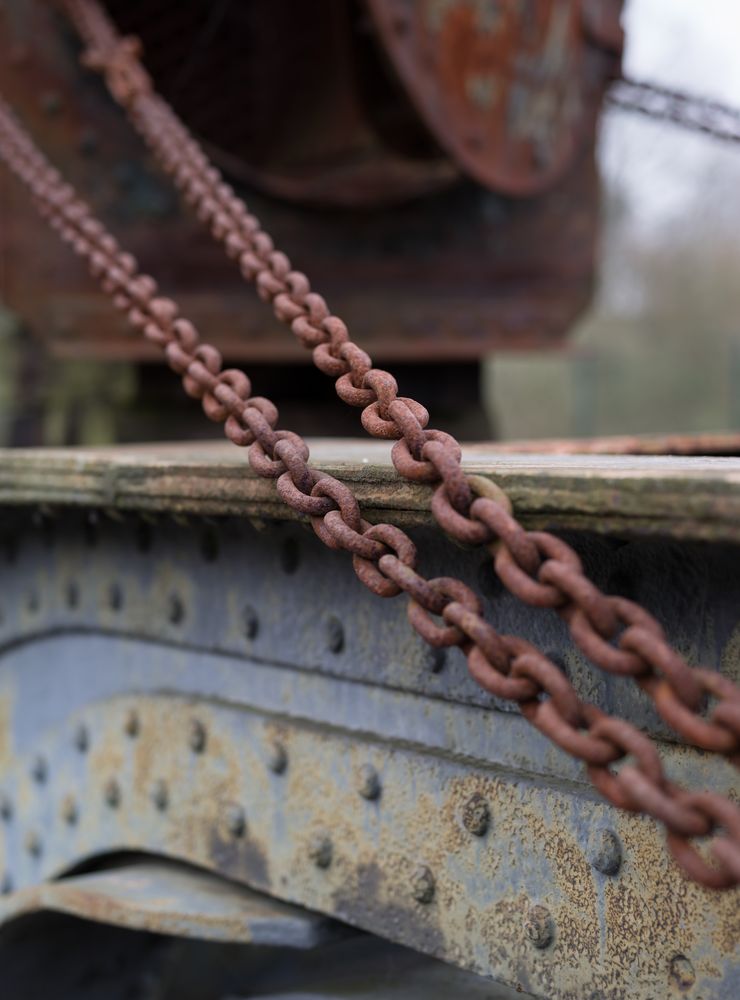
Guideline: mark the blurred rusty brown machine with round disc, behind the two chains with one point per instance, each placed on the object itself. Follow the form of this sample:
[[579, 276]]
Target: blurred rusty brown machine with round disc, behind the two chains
[[434, 165]]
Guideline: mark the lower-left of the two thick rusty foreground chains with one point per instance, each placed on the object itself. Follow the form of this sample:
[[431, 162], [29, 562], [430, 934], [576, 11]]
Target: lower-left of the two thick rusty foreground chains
[[385, 557]]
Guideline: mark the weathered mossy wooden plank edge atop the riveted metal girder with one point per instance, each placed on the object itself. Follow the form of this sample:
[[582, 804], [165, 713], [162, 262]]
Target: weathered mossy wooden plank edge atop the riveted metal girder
[[676, 497]]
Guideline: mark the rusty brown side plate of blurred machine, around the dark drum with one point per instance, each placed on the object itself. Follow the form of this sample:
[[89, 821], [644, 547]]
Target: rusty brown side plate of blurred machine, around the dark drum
[[459, 273]]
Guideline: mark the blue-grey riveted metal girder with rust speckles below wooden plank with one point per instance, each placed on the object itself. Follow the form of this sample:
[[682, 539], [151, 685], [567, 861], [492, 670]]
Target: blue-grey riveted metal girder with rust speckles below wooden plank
[[376, 784]]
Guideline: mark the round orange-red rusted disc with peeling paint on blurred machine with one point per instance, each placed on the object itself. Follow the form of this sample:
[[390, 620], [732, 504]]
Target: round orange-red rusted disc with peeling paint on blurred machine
[[507, 86]]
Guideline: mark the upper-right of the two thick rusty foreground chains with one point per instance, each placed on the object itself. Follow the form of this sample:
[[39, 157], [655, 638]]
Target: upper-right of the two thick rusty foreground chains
[[538, 568]]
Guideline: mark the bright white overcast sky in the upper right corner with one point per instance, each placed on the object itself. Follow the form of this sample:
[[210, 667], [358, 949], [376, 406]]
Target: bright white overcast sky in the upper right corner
[[692, 45]]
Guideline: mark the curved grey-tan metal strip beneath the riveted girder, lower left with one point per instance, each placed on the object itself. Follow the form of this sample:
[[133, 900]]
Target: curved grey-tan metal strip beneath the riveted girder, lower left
[[167, 899]]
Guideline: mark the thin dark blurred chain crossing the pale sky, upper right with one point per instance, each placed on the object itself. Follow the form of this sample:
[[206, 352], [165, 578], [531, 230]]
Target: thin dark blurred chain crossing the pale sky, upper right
[[698, 114]]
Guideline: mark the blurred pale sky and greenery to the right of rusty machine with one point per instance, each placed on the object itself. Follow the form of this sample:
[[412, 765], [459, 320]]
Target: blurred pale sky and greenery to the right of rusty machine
[[659, 349]]
